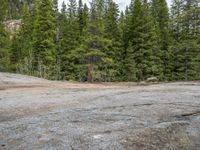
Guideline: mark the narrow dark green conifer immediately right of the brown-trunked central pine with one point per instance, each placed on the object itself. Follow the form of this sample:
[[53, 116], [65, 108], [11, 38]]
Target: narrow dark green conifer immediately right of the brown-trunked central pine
[[111, 32]]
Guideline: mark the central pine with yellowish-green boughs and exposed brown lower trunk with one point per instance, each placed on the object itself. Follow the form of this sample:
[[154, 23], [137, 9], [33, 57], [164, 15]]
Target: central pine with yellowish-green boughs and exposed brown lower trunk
[[95, 47]]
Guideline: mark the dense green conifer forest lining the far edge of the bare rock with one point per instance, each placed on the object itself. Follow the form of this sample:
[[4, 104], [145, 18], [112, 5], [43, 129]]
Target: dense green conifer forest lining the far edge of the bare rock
[[100, 43]]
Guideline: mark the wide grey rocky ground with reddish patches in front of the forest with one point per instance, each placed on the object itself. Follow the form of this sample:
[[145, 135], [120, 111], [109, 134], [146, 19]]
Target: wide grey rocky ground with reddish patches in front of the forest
[[38, 114]]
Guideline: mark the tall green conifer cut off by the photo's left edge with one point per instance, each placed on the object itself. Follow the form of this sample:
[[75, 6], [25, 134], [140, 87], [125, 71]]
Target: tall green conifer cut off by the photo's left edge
[[4, 40]]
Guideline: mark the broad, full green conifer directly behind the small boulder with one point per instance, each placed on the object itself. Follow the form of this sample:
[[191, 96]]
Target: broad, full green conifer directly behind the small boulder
[[144, 41]]
